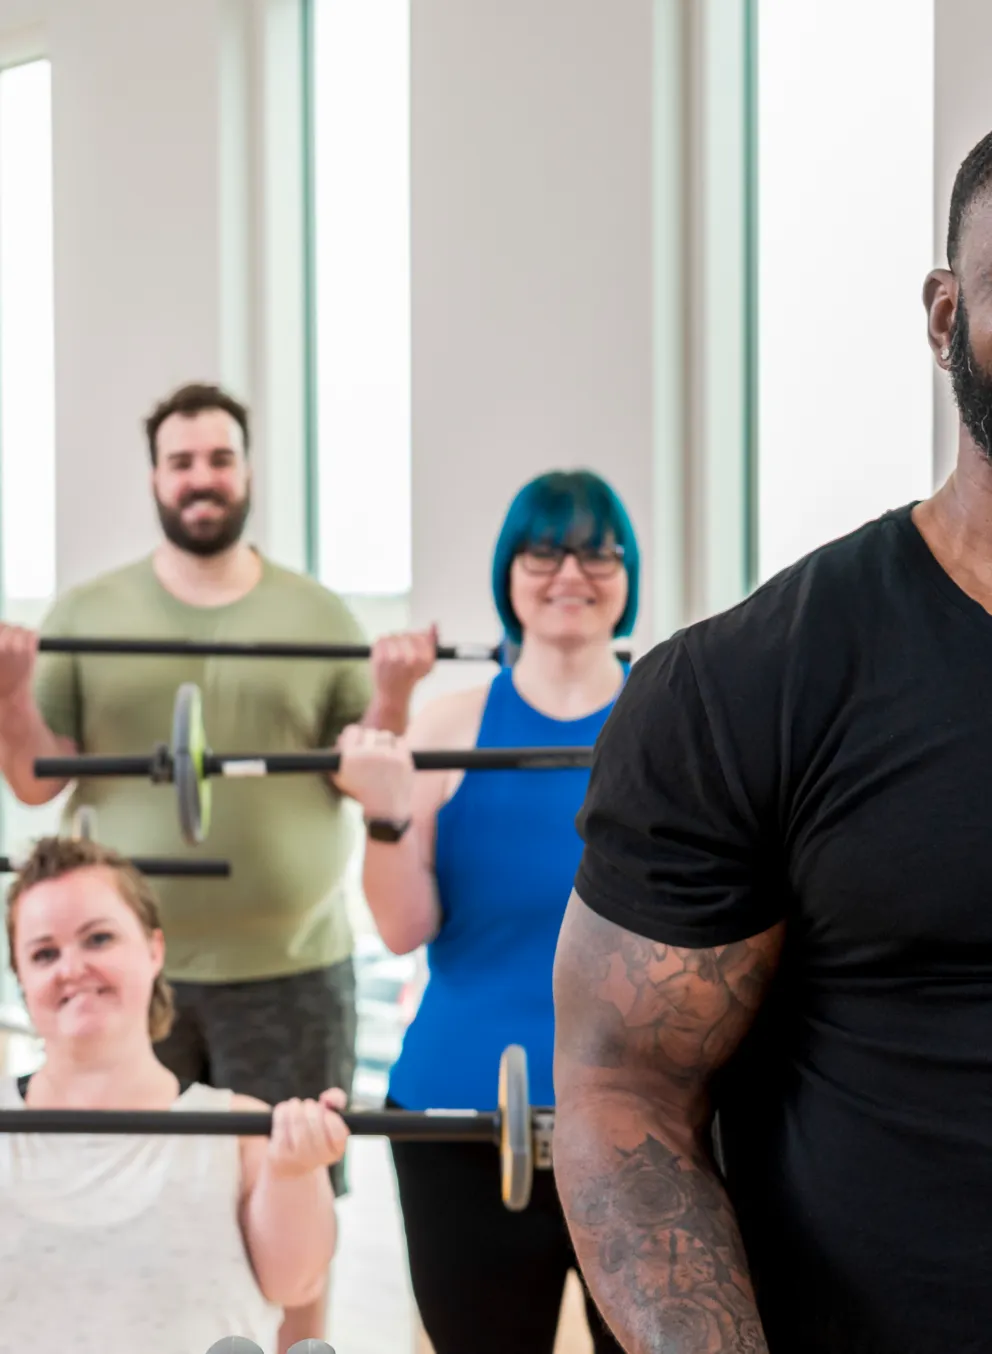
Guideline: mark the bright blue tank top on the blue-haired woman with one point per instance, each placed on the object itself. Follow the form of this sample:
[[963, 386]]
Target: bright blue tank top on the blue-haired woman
[[507, 854]]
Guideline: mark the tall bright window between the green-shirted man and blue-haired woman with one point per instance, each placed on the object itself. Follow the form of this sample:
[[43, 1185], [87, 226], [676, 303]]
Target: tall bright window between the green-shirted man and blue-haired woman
[[361, 79]]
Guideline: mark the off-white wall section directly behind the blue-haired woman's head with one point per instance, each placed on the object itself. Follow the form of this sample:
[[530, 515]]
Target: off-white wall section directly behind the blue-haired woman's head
[[533, 270]]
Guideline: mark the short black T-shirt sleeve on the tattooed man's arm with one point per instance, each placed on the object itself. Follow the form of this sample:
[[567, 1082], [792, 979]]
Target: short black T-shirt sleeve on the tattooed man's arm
[[675, 846]]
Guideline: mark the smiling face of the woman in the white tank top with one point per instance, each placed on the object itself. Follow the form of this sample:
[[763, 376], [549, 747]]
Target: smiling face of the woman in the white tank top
[[86, 963]]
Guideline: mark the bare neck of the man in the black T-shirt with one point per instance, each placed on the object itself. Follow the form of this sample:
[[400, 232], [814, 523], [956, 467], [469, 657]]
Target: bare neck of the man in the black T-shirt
[[957, 523]]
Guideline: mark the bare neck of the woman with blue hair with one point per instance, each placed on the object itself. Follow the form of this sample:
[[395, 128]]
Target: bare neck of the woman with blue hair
[[568, 682]]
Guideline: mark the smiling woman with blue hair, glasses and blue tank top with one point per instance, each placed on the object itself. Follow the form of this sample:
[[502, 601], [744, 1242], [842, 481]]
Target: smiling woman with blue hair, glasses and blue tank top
[[480, 866]]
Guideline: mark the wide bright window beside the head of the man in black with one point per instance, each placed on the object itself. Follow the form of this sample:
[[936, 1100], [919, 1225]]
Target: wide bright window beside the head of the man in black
[[845, 240]]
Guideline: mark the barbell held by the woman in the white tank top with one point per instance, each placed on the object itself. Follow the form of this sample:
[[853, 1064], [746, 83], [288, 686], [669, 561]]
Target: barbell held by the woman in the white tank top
[[522, 1134]]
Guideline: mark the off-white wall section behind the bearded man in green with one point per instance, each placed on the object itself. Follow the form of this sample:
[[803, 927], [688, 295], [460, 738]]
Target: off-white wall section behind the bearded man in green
[[137, 251]]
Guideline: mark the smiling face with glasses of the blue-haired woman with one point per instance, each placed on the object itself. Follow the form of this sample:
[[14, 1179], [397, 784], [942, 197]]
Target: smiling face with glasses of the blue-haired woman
[[572, 599]]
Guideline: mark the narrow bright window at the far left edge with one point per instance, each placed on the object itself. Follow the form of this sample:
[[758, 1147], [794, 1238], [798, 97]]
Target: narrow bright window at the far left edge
[[28, 376]]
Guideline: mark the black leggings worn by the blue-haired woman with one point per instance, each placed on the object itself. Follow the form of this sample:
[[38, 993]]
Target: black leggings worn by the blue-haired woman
[[487, 1280]]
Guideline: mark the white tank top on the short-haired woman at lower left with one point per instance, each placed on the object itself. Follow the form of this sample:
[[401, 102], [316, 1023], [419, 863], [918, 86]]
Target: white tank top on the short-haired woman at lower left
[[114, 1245]]
